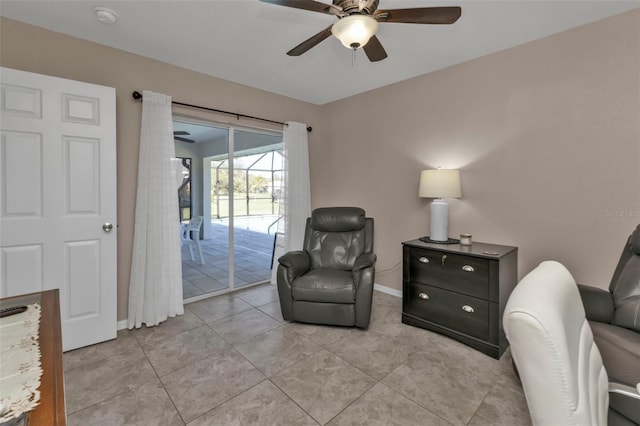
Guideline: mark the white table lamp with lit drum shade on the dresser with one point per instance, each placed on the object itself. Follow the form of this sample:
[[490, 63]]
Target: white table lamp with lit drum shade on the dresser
[[439, 184]]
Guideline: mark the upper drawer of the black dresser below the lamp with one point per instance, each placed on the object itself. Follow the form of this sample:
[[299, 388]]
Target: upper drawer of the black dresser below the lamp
[[462, 274]]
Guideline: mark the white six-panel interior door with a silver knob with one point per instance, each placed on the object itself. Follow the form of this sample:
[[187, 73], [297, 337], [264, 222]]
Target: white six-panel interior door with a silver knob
[[58, 199]]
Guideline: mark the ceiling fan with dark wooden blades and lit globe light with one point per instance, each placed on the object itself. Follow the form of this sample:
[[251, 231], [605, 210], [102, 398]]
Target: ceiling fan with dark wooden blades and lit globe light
[[358, 22]]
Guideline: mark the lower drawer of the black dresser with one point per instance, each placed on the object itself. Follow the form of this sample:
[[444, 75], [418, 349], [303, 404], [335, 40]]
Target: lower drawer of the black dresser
[[465, 314]]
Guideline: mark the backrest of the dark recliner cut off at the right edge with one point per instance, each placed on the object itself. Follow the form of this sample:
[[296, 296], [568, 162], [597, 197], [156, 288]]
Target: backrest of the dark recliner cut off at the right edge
[[625, 285]]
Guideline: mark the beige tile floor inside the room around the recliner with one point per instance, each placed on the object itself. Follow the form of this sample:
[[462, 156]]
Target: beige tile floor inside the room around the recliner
[[232, 360]]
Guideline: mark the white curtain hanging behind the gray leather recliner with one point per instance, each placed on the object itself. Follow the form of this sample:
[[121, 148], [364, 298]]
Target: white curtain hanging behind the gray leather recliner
[[295, 204]]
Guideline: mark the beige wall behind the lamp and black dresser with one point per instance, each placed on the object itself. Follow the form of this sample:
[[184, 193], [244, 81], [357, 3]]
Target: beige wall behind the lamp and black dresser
[[546, 135]]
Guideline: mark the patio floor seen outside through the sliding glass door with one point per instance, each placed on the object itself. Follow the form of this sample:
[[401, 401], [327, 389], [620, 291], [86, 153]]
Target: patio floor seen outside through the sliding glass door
[[252, 261]]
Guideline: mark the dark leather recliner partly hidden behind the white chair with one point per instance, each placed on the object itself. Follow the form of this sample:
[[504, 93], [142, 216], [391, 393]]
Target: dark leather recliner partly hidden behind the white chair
[[614, 315]]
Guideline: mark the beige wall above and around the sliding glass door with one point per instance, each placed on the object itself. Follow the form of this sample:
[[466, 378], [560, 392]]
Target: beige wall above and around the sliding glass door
[[36, 50]]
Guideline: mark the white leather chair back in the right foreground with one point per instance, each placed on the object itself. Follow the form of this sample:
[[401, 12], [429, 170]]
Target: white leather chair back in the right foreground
[[552, 346]]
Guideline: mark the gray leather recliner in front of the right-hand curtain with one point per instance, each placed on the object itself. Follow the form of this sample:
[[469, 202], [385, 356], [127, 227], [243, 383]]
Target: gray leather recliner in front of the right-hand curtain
[[330, 281]]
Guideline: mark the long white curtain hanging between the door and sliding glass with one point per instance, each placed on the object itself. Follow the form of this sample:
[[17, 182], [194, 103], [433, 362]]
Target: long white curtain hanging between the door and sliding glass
[[155, 288]]
